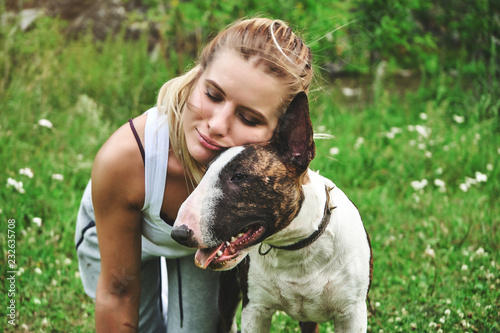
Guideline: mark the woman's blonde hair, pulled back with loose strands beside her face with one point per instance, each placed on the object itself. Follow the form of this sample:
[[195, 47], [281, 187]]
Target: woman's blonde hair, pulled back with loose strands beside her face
[[279, 52]]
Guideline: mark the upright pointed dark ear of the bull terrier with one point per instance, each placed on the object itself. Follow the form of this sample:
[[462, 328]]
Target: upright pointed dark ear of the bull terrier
[[294, 137]]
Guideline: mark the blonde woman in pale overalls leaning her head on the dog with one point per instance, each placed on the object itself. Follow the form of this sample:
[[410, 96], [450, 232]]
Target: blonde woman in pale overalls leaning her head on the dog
[[245, 79]]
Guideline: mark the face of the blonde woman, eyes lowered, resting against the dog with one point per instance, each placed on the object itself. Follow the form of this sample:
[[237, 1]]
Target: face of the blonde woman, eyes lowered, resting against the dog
[[233, 103]]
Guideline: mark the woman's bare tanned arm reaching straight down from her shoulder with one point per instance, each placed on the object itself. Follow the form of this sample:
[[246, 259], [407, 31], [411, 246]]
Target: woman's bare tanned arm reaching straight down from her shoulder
[[117, 189]]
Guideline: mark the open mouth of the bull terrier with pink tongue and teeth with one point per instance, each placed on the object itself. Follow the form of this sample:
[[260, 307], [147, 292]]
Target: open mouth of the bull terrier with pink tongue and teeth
[[217, 257]]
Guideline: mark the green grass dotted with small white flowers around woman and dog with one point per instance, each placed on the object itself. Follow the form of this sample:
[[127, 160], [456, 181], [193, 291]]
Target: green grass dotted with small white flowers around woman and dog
[[436, 249]]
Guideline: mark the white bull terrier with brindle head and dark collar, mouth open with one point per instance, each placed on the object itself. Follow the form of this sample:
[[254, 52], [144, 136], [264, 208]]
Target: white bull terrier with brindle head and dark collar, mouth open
[[307, 251]]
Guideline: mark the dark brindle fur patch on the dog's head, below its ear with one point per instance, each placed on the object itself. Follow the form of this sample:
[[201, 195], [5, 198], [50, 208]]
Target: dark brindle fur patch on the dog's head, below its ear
[[257, 189]]
